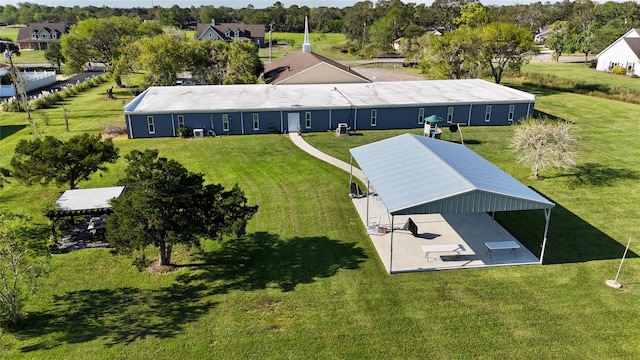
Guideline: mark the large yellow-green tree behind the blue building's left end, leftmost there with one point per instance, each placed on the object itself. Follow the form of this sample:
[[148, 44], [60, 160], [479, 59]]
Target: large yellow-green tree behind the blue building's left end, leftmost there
[[103, 41]]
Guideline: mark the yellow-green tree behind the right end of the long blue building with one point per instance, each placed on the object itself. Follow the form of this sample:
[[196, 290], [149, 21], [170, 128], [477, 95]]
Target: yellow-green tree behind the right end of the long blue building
[[505, 46]]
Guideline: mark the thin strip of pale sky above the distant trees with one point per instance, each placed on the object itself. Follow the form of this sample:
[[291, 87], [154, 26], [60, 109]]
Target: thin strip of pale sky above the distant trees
[[236, 4]]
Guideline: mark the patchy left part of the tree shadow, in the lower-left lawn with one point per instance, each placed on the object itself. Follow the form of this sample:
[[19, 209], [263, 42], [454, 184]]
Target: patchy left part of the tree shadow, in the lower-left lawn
[[120, 315]]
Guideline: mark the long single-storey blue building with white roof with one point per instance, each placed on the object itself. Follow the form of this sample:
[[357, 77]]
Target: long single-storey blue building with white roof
[[262, 109]]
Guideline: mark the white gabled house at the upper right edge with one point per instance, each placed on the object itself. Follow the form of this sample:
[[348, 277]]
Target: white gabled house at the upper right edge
[[625, 52]]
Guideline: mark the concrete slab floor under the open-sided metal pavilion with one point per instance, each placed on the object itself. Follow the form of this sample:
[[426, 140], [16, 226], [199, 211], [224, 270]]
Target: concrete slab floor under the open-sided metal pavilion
[[470, 230]]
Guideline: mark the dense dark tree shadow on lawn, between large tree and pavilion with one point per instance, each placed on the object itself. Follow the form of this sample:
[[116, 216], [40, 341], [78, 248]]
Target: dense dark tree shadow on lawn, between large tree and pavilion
[[263, 260]]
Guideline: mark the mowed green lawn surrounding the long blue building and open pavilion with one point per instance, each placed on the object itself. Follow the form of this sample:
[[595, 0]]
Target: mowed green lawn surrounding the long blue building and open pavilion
[[306, 281]]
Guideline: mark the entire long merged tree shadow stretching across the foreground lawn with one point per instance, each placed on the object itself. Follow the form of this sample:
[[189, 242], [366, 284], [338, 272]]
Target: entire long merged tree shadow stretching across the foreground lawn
[[126, 314]]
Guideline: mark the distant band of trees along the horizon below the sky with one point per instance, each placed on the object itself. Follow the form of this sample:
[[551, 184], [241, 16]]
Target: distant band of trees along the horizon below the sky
[[407, 18]]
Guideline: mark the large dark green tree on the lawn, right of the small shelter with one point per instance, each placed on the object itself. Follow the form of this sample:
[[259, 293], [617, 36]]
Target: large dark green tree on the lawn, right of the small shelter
[[165, 204]]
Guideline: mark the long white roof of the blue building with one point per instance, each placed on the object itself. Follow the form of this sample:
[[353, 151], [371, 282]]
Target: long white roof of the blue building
[[261, 97]]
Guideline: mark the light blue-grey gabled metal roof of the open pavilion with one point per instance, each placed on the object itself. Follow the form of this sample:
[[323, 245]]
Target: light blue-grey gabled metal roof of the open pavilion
[[419, 175]]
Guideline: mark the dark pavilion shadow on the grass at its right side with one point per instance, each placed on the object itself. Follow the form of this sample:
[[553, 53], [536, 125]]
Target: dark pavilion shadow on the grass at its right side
[[570, 239]]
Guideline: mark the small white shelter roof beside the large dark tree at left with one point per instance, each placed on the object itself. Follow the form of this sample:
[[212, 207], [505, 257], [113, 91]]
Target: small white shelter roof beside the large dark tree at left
[[89, 199]]
